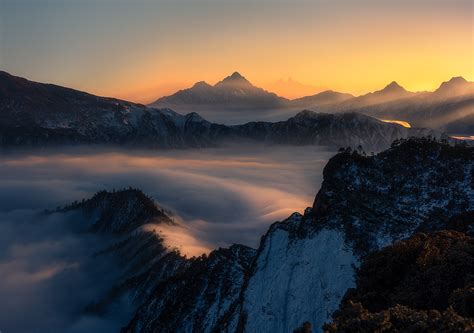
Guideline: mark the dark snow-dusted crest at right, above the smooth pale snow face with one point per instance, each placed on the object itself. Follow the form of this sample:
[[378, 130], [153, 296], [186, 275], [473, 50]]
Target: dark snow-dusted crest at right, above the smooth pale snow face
[[417, 185]]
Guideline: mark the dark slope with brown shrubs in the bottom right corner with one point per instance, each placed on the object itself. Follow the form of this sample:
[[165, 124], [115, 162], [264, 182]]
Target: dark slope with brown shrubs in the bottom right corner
[[423, 284]]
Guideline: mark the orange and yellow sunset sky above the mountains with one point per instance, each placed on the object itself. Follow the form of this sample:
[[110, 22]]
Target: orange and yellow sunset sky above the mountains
[[150, 49]]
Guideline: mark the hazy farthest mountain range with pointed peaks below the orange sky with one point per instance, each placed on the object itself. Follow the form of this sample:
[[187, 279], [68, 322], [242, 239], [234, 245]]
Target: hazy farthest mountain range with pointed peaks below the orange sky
[[449, 108]]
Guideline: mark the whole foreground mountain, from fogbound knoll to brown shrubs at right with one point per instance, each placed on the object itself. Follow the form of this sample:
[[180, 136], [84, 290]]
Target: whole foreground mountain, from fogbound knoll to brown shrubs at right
[[305, 265]]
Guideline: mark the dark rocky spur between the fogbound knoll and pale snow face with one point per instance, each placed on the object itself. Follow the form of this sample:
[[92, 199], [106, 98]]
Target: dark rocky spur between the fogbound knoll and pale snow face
[[199, 298]]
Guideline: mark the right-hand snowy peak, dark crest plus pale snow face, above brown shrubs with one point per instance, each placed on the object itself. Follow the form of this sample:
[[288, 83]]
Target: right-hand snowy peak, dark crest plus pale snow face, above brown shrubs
[[305, 265]]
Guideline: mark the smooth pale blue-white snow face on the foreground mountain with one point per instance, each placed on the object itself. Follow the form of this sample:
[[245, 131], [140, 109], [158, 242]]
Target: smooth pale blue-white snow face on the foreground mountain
[[298, 280]]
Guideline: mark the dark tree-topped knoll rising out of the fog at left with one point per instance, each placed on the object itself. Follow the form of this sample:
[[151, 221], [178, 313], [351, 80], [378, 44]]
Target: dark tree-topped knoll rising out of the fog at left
[[142, 256]]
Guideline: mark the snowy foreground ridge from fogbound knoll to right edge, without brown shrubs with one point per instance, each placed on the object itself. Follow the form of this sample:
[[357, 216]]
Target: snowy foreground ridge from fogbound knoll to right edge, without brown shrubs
[[304, 264]]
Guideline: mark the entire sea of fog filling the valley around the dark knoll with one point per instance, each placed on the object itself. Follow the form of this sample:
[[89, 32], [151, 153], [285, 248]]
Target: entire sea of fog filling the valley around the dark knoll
[[221, 196]]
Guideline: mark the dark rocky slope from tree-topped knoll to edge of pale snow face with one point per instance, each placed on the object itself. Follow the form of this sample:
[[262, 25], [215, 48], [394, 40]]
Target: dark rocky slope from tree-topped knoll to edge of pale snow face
[[178, 293]]
